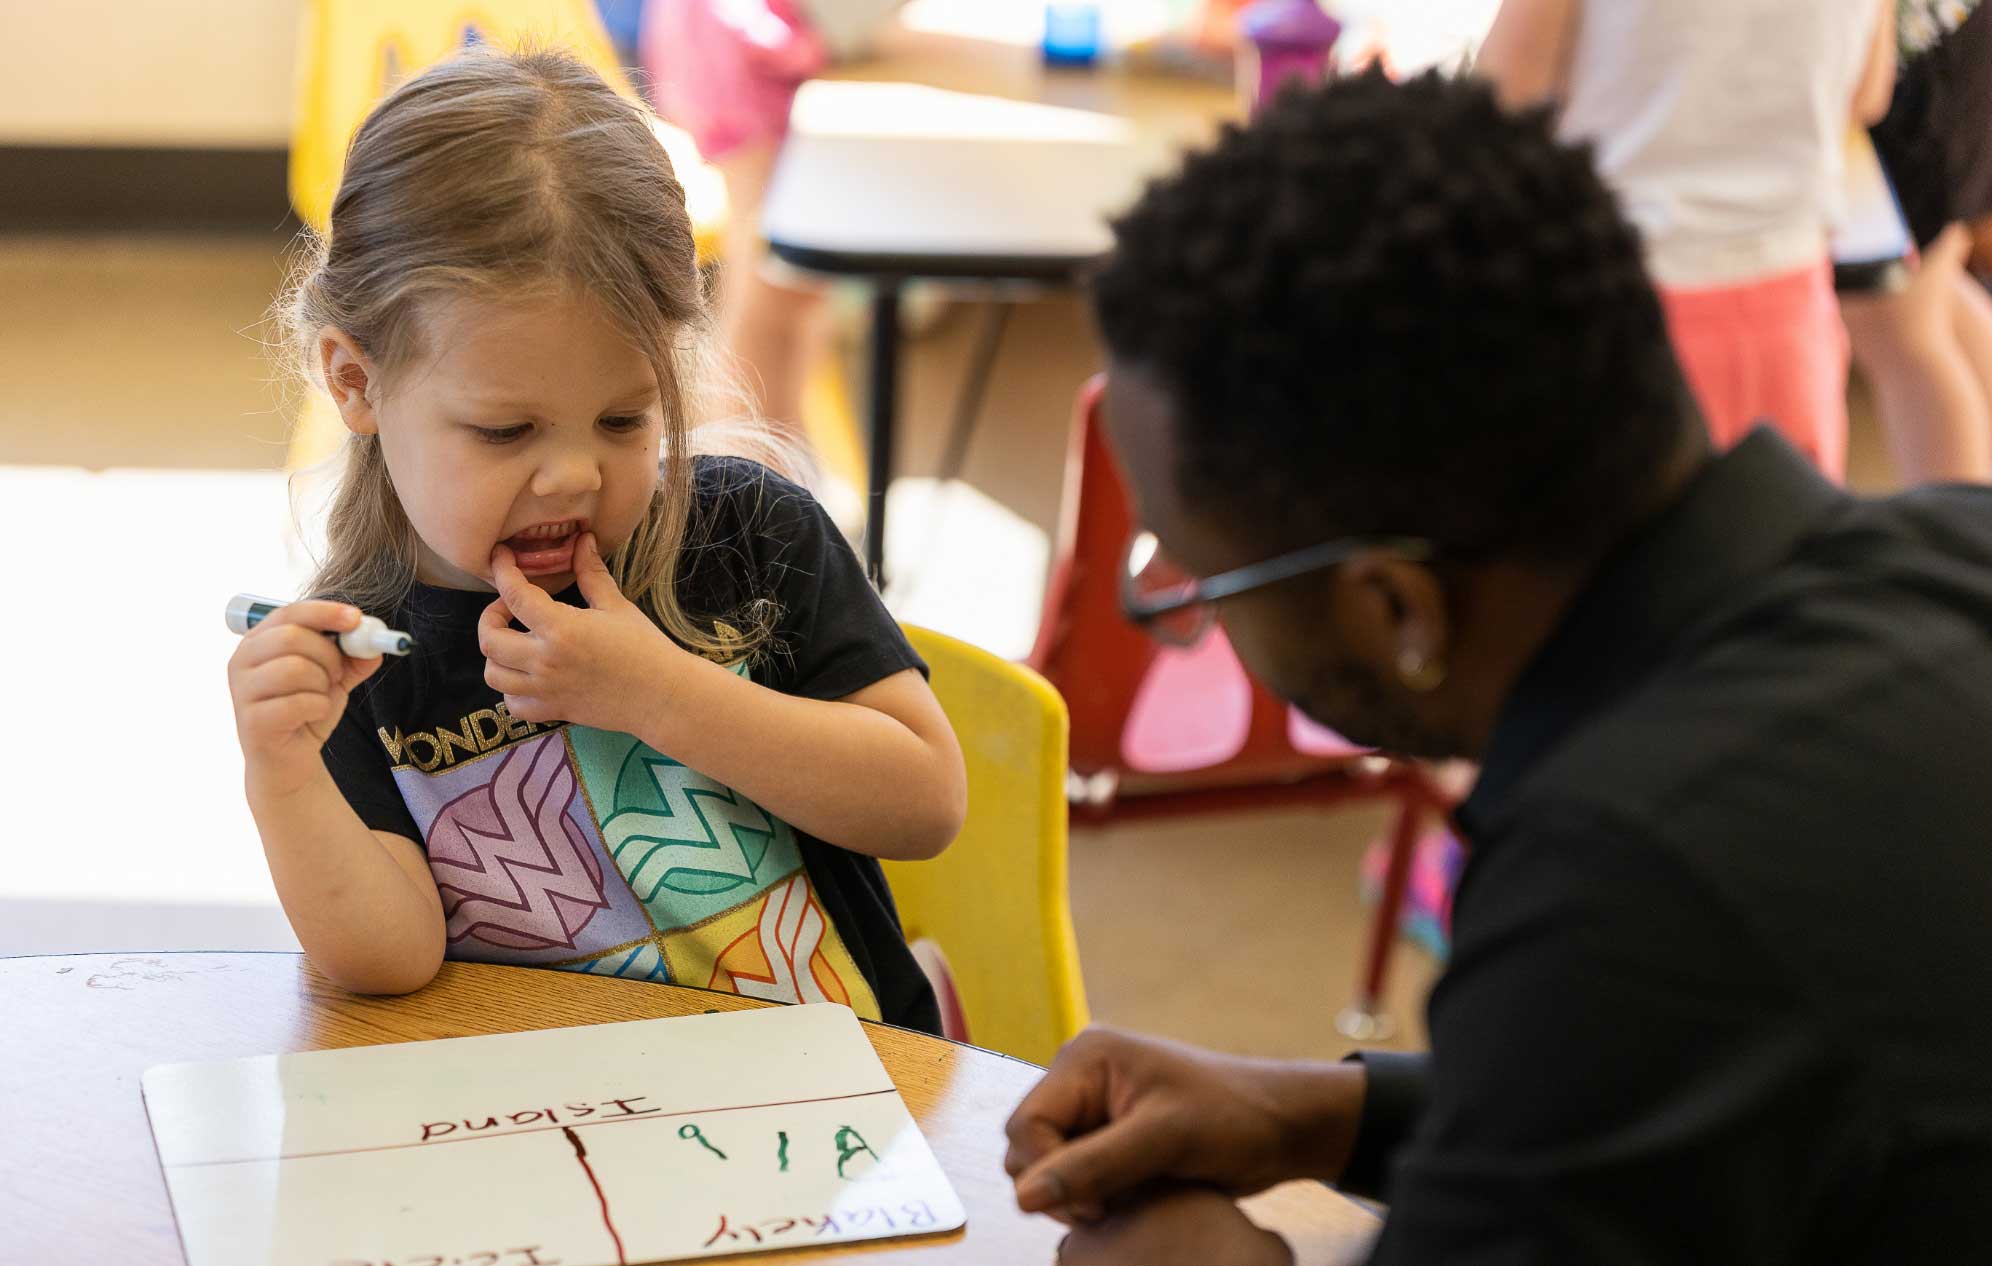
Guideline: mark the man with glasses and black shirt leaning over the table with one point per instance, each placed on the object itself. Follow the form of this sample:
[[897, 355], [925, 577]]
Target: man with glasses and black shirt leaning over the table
[[1389, 377]]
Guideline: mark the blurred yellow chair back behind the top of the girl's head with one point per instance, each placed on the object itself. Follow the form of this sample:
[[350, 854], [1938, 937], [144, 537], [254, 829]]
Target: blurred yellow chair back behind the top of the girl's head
[[352, 53]]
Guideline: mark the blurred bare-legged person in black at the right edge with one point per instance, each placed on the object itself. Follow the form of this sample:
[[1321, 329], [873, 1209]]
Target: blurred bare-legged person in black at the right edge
[[1927, 347]]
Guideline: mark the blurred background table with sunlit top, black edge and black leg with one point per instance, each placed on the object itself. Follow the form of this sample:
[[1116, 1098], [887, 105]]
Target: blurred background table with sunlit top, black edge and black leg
[[1007, 180]]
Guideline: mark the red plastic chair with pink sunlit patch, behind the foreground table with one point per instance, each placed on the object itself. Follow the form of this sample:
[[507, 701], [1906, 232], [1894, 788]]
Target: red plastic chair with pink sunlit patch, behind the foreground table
[[1158, 732]]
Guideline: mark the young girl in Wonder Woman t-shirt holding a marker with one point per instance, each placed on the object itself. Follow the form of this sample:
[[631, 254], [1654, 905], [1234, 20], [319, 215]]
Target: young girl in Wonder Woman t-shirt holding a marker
[[656, 724]]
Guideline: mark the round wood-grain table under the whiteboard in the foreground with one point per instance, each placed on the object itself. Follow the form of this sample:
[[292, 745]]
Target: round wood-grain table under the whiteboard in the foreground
[[81, 1179]]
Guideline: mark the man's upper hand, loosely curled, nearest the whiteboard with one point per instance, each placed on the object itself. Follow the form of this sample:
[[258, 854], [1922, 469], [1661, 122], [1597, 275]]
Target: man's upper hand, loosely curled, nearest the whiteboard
[[1119, 1112]]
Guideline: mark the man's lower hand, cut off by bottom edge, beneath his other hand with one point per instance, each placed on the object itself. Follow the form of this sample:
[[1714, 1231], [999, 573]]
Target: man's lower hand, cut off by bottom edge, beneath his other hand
[[1188, 1227]]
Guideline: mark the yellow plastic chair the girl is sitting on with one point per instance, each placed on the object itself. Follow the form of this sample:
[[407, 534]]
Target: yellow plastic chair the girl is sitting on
[[997, 901]]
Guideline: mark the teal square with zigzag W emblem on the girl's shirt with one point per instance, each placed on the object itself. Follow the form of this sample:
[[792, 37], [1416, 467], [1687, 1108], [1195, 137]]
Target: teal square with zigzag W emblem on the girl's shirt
[[688, 847]]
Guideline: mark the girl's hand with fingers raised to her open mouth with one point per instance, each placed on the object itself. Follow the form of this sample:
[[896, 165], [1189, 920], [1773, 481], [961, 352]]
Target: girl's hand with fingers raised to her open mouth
[[573, 664]]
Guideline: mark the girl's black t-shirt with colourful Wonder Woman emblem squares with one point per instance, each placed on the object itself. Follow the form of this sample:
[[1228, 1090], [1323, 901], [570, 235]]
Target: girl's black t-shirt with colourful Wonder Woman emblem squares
[[569, 847]]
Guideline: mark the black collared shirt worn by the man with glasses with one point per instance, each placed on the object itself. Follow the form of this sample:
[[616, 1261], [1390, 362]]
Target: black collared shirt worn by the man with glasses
[[1722, 980]]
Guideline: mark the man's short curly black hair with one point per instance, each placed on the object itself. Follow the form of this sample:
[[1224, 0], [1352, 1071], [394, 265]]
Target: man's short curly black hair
[[1401, 310]]
